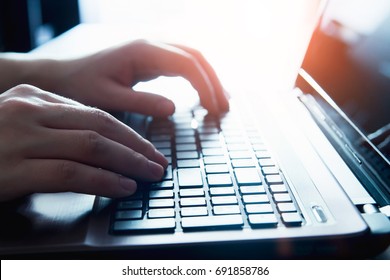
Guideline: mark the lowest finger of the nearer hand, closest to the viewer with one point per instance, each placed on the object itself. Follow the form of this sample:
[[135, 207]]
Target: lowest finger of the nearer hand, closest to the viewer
[[62, 175]]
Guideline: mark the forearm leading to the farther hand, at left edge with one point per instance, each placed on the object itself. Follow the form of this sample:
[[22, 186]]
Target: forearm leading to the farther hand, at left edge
[[18, 69]]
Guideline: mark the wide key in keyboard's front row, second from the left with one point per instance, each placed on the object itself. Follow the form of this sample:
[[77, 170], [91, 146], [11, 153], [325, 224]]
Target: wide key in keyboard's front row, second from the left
[[212, 222]]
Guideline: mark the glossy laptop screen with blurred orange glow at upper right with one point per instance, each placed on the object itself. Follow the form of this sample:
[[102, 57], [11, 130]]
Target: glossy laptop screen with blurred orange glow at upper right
[[349, 57]]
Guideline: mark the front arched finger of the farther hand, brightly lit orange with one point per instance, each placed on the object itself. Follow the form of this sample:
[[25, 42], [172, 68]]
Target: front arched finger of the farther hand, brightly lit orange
[[165, 60]]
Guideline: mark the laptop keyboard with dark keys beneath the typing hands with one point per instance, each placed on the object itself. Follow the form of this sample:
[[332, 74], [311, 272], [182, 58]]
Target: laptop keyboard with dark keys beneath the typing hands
[[220, 175]]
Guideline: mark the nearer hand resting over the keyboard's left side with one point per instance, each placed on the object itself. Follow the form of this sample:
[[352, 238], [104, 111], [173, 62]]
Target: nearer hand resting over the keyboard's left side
[[49, 143]]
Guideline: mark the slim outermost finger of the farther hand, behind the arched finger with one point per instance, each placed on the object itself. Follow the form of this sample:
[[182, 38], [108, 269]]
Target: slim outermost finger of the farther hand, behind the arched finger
[[221, 94]]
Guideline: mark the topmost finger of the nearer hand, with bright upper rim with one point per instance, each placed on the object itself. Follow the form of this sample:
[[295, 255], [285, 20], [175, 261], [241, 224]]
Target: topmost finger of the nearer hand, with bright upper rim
[[67, 117]]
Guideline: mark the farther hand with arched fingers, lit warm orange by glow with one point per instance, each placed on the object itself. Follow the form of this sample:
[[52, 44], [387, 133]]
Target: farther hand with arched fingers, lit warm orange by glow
[[105, 79]]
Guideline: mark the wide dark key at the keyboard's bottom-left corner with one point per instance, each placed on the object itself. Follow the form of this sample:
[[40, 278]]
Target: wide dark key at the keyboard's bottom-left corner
[[166, 224]]
